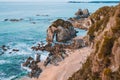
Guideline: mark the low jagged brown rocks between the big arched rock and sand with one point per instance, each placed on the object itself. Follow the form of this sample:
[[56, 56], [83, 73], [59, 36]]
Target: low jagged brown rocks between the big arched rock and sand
[[56, 53]]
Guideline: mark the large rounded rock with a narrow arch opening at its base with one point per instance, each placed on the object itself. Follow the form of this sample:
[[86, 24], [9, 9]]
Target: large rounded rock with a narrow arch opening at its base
[[61, 30]]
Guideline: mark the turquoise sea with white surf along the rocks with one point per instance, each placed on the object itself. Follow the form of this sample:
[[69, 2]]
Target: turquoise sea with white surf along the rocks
[[24, 34]]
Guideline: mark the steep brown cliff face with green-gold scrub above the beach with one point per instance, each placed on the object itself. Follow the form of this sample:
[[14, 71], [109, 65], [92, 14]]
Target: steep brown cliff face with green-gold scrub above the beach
[[104, 36]]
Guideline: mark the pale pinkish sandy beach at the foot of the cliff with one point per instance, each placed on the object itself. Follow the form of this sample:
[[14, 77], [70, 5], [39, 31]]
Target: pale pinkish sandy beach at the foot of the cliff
[[66, 68]]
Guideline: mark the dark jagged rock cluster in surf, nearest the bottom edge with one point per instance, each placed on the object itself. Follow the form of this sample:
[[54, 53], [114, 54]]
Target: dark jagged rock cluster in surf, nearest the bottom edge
[[31, 64]]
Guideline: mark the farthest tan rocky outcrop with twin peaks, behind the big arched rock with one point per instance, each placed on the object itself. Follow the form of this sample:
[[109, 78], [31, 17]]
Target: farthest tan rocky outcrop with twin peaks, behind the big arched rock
[[81, 20]]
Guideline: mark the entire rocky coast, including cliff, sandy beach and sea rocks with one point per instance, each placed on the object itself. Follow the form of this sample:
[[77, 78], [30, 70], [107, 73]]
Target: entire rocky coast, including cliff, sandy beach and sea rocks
[[92, 53]]
